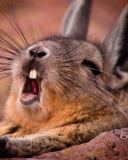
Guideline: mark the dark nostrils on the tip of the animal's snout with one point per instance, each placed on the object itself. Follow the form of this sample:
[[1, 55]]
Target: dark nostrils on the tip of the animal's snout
[[36, 55]]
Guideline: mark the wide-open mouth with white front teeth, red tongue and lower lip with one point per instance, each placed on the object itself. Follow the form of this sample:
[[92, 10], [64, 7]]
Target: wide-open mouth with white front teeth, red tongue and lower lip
[[31, 90]]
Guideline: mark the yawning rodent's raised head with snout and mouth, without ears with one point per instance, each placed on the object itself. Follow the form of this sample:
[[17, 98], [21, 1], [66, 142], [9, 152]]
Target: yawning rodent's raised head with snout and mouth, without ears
[[62, 68]]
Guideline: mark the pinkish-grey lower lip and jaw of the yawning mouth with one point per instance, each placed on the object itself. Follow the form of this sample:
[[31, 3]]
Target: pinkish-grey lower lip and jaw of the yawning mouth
[[28, 99]]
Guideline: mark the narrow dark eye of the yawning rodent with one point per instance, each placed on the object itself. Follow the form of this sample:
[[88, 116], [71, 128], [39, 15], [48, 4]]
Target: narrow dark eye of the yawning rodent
[[91, 66]]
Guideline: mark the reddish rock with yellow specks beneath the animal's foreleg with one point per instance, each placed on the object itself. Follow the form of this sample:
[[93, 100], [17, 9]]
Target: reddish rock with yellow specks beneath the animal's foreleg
[[111, 145]]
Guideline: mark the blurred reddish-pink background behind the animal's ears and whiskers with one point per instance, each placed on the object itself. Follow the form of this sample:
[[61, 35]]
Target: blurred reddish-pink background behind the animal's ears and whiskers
[[43, 18]]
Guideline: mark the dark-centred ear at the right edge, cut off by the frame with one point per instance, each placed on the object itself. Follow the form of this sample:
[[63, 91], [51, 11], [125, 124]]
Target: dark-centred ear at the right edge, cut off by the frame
[[115, 51]]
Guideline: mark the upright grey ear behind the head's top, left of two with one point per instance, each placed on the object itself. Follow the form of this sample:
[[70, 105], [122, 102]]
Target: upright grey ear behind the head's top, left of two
[[75, 24]]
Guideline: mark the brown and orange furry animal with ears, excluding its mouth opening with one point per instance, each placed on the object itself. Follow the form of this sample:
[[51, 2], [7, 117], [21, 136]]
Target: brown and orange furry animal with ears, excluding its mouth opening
[[82, 88]]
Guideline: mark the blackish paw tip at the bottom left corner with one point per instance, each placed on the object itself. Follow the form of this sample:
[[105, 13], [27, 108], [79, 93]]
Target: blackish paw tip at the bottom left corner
[[5, 148]]
